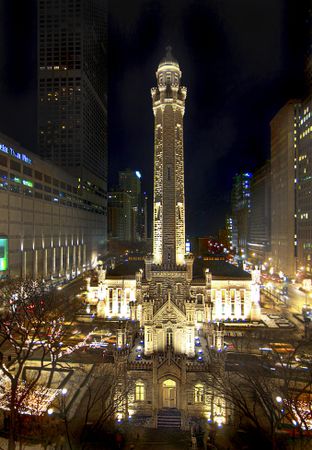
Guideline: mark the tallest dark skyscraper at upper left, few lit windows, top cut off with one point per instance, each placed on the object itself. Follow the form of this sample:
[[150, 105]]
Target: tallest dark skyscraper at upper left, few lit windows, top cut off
[[72, 105]]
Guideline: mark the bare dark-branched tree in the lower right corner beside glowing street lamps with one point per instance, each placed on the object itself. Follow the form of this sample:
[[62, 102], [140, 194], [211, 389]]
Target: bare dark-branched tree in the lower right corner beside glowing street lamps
[[265, 393]]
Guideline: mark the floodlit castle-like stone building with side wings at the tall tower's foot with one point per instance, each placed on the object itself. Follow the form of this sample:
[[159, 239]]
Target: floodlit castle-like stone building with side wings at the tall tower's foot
[[178, 311]]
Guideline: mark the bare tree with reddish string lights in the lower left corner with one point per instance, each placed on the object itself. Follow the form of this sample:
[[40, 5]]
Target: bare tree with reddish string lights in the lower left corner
[[32, 325]]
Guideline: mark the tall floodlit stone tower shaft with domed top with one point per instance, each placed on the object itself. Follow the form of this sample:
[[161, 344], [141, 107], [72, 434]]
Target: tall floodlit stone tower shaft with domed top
[[169, 214]]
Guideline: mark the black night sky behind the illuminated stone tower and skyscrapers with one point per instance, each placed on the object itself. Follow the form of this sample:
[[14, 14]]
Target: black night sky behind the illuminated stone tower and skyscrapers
[[241, 60]]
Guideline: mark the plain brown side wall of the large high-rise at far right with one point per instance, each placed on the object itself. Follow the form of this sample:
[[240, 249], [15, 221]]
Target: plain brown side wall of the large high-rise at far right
[[284, 148]]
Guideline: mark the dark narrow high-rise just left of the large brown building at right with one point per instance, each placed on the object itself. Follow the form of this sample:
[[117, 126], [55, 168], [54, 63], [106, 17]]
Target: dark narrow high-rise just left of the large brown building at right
[[259, 232]]
